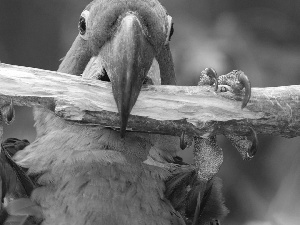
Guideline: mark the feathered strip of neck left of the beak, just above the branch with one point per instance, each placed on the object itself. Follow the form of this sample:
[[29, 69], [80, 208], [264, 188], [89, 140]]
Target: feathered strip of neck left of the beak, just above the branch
[[76, 59]]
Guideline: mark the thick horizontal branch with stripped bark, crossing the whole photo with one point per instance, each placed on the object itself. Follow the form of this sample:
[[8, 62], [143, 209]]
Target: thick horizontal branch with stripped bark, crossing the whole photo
[[159, 109]]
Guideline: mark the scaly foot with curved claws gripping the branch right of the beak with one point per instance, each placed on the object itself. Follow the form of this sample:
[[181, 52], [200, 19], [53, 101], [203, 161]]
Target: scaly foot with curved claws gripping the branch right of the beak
[[246, 145]]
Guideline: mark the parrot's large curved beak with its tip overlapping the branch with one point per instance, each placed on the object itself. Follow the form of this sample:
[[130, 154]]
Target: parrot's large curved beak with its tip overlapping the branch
[[127, 58]]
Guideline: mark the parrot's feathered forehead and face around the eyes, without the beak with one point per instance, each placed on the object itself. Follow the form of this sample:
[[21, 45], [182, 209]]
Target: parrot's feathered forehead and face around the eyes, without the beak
[[104, 18]]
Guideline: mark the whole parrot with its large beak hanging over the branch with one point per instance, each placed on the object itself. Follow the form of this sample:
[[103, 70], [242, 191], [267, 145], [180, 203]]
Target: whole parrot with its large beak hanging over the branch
[[88, 174]]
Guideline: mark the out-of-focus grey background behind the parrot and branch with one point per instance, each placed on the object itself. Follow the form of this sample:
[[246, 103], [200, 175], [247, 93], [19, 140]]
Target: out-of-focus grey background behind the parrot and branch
[[262, 38]]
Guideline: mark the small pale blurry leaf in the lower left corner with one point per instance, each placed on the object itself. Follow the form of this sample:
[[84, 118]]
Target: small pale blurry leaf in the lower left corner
[[24, 206]]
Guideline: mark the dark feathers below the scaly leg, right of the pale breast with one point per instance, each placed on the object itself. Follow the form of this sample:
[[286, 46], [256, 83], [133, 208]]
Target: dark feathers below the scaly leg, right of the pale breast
[[198, 202]]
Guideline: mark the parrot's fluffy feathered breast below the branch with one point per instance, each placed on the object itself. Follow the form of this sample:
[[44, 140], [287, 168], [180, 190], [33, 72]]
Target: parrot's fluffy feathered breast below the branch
[[107, 175]]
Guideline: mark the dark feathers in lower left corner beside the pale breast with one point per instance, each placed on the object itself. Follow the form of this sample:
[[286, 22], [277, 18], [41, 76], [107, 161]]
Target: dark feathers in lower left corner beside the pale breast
[[16, 188]]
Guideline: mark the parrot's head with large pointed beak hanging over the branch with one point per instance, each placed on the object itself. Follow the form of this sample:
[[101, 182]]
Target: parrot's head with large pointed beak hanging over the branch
[[123, 37]]
